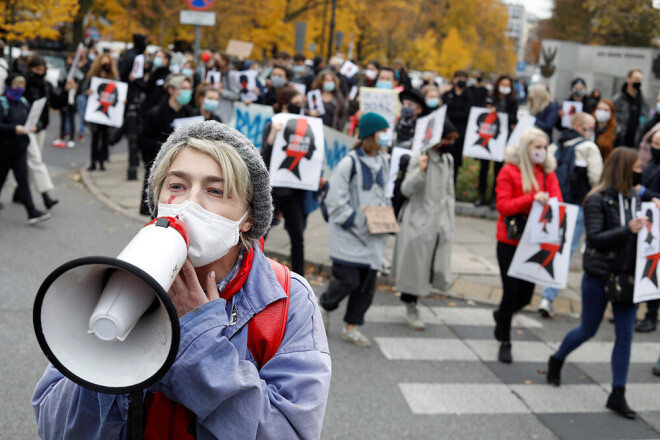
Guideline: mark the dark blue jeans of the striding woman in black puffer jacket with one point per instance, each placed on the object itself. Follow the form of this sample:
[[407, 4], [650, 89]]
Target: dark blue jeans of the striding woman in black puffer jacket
[[593, 309]]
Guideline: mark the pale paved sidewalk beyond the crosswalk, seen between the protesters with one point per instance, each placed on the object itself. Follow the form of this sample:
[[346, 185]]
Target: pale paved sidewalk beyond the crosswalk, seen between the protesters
[[474, 263]]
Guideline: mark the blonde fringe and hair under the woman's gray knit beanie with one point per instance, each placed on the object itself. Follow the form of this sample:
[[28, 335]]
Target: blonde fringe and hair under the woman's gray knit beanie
[[235, 173]]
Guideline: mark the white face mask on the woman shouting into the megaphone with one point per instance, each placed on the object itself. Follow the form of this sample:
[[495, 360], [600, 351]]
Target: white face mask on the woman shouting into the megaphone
[[211, 235]]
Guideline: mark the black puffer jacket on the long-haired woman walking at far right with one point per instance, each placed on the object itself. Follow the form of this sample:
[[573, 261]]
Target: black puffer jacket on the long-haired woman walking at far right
[[611, 247]]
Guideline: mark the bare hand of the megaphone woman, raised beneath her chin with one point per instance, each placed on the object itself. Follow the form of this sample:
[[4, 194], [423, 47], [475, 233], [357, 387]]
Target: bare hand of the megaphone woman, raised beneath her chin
[[187, 293]]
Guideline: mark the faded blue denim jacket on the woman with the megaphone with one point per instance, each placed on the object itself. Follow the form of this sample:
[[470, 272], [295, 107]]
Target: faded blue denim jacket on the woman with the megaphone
[[215, 376]]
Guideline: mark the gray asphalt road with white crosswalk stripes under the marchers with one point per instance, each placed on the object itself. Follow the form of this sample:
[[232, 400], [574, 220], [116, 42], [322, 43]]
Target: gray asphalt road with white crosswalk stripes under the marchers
[[443, 383]]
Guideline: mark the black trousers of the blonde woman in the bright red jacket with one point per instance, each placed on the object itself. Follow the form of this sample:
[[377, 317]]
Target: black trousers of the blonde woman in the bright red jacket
[[516, 293]]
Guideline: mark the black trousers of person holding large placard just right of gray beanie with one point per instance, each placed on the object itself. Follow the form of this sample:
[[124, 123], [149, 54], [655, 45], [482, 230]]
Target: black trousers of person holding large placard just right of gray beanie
[[293, 210]]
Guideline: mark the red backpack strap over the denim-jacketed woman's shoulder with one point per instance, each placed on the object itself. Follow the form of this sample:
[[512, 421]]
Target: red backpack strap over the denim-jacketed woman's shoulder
[[266, 329]]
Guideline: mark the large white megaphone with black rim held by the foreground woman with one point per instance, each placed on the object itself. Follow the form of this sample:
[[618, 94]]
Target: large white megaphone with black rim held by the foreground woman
[[108, 324]]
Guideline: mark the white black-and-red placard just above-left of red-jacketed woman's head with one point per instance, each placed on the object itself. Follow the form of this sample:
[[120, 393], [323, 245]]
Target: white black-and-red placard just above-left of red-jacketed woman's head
[[486, 134]]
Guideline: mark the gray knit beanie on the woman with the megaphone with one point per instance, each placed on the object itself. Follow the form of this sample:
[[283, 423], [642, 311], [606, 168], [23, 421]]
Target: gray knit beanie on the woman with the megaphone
[[262, 202]]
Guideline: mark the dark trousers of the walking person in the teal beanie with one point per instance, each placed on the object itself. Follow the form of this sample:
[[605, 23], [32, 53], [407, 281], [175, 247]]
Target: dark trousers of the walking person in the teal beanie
[[358, 283]]
